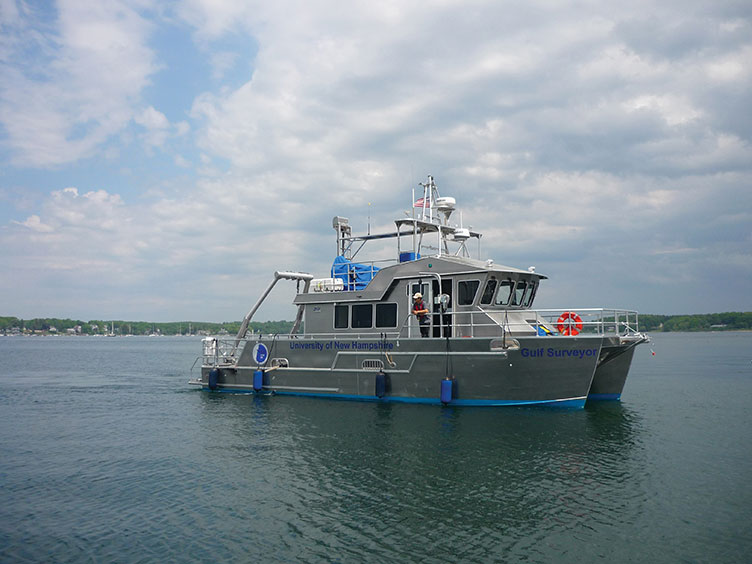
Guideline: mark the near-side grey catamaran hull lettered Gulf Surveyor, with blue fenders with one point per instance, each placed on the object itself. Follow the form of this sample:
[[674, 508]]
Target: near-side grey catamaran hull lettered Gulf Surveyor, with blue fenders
[[484, 372]]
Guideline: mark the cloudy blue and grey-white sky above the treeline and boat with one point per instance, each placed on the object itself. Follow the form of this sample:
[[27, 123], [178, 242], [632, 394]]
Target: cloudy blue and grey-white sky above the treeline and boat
[[160, 160]]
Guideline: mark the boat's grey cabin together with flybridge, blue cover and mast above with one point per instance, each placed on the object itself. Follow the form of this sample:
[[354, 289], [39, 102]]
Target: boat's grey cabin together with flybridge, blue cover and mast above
[[466, 296]]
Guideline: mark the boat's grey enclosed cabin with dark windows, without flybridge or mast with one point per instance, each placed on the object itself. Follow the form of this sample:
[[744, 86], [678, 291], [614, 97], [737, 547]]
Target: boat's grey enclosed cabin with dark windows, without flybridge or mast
[[456, 290]]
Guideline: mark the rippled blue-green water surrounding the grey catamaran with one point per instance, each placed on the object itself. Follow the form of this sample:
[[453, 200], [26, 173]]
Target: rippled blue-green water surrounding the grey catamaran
[[107, 455]]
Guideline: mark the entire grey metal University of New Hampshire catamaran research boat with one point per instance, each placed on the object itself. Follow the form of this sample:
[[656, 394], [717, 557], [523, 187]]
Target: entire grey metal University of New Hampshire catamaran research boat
[[355, 335]]
